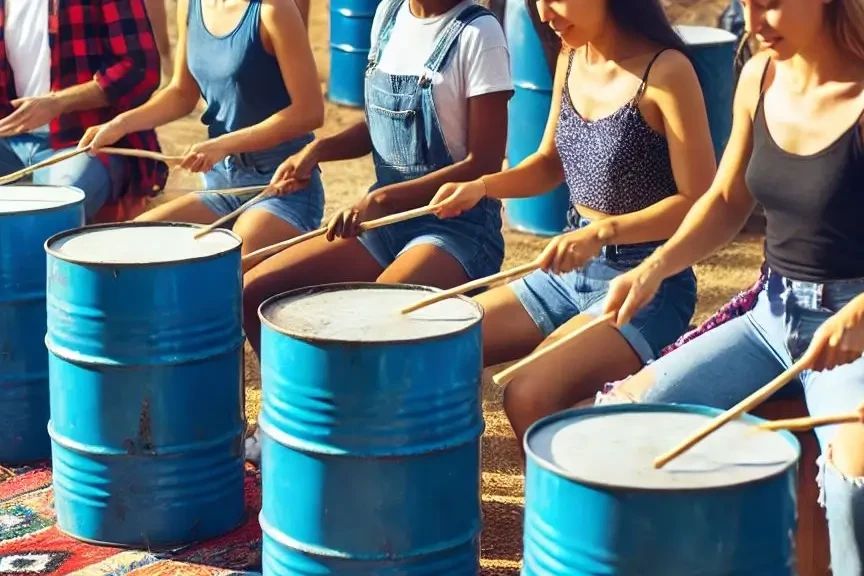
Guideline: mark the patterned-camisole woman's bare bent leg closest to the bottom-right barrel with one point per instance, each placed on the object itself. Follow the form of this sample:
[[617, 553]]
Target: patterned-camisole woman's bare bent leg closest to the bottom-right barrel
[[569, 374]]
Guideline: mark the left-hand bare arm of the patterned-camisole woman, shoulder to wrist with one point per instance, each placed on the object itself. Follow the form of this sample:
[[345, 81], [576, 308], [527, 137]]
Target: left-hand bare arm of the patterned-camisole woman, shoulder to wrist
[[541, 171]]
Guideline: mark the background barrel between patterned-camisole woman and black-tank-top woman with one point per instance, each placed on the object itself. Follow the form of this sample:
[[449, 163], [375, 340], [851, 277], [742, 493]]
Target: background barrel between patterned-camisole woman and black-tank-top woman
[[713, 53]]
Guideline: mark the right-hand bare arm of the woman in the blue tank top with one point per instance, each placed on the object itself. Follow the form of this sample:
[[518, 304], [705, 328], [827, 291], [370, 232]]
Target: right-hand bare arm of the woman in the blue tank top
[[284, 27]]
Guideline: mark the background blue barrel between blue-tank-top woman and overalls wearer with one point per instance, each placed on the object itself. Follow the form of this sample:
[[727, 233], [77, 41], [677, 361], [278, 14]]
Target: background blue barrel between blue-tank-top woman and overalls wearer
[[350, 41]]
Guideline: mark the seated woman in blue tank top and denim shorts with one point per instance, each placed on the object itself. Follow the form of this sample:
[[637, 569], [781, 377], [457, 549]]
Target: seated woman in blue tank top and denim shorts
[[252, 63]]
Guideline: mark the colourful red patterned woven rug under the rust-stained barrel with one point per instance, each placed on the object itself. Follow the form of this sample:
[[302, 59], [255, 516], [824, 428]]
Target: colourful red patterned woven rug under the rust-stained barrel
[[30, 544]]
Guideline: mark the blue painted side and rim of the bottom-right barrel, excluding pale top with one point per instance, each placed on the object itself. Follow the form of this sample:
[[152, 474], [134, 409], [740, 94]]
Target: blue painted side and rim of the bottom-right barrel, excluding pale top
[[575, 527]]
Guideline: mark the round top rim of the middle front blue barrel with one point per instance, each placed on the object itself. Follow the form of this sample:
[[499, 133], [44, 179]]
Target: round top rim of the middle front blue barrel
[[333, 286]]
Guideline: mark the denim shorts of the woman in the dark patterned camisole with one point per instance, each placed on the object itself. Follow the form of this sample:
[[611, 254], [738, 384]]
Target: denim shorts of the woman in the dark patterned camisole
[[553, 299]]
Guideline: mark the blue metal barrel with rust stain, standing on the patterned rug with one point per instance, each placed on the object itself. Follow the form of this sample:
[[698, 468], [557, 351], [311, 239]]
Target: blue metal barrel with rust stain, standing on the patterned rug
[[146, 382]]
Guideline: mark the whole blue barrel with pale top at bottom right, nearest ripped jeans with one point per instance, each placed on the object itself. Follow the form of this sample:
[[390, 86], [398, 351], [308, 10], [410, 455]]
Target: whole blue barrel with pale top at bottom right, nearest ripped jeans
[[594, 503]]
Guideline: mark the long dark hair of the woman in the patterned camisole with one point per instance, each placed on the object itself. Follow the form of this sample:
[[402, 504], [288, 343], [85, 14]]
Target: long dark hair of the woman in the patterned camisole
[[644, 18]]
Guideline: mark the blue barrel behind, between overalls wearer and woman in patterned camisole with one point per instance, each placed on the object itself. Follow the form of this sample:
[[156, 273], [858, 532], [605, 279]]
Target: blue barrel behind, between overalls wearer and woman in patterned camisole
[[528, 111]]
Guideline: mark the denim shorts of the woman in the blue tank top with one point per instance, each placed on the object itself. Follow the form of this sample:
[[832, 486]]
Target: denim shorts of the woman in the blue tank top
[[302, 209]]
